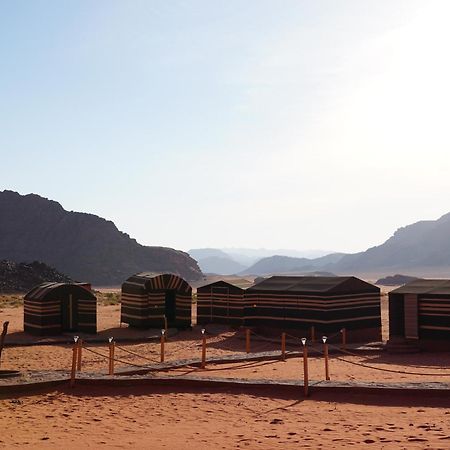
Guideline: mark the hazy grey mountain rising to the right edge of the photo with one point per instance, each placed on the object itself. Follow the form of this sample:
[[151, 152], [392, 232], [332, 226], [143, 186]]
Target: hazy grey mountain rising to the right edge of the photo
[[422, 245]]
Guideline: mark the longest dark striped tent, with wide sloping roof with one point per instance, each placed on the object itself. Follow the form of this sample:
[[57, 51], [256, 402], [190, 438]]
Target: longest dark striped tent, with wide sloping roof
[[327, 303]]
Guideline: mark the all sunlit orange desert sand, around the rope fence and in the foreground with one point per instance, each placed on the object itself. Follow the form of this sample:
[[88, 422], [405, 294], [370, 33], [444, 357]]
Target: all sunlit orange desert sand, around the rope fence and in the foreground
[[149, 417]]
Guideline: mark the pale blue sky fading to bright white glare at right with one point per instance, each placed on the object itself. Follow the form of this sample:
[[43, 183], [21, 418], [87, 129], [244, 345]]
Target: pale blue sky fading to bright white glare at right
[[258, 124]]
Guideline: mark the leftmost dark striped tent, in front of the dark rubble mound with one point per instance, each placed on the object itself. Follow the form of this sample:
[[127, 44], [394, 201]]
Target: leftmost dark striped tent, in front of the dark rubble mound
[[52, 308]]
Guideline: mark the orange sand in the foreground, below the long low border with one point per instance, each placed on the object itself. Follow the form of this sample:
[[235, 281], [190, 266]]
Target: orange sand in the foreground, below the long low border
[[135, 418]]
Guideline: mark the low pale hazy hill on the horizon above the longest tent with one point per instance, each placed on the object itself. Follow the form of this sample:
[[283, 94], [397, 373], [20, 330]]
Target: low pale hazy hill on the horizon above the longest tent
[[286, 264]]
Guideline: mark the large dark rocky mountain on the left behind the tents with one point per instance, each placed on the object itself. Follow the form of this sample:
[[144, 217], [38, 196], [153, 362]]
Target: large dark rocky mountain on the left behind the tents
[[84, 246]]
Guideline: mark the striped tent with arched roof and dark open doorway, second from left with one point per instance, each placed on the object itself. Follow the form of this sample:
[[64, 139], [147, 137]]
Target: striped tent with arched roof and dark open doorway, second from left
[[151, 300]]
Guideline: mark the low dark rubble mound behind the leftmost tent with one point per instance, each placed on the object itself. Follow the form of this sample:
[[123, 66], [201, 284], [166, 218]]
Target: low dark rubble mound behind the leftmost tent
[[21, 277]]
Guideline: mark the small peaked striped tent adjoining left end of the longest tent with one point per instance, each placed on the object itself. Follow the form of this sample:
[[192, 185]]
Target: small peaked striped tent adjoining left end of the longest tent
[[220, 302]]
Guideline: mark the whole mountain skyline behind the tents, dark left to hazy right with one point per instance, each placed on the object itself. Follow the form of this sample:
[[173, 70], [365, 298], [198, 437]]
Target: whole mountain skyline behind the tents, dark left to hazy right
[[89, 248]]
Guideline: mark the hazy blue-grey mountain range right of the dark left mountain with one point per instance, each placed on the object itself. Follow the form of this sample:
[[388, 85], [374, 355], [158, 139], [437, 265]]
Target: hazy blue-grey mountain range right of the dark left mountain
[[420, 249]]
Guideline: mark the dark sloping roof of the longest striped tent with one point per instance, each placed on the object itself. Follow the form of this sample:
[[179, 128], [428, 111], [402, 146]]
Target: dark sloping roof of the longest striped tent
[[309, 284]]
